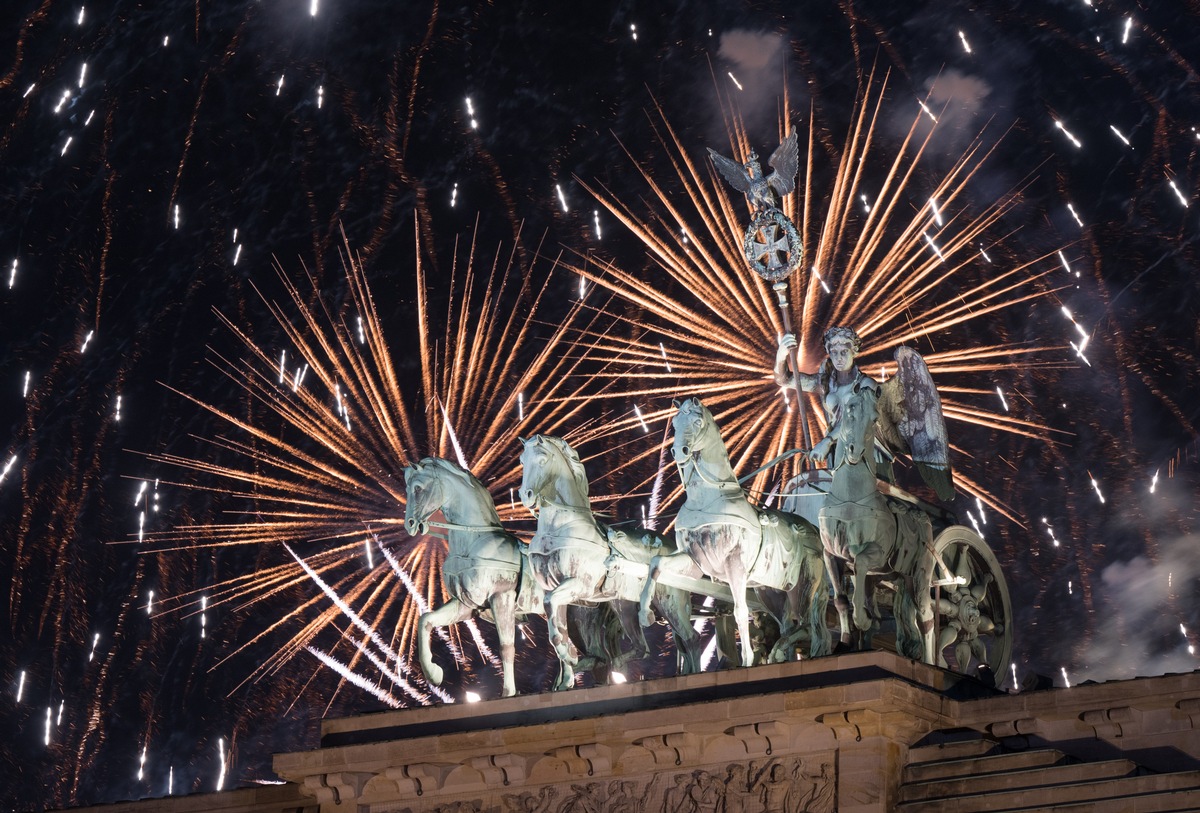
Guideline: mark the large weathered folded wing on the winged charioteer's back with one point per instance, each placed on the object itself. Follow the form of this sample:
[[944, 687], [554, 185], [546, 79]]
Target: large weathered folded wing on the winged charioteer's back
[[911, 421]]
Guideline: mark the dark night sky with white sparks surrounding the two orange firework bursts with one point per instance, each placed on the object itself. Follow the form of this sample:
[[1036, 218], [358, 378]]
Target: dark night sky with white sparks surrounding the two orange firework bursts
[[163, 164]]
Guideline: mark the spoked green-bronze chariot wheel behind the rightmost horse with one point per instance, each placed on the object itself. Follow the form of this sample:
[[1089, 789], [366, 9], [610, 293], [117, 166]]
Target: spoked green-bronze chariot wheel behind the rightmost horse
[[973, 615]]
